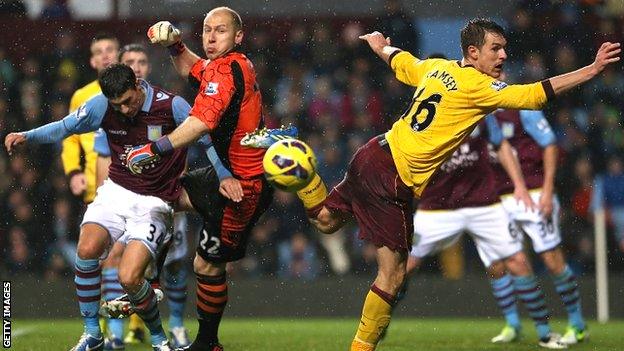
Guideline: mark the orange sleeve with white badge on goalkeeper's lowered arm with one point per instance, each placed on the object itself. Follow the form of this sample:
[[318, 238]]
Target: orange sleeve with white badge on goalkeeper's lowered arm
[[215, 97]]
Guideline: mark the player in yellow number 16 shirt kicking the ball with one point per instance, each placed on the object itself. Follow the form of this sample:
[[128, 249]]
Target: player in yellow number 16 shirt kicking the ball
[[386, 173]]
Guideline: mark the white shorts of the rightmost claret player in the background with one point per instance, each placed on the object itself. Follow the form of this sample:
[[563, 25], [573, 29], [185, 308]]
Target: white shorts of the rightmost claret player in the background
[[544, 232]]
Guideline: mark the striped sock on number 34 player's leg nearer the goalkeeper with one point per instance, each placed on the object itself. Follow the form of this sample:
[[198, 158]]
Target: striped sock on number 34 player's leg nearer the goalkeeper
[[146, 306]]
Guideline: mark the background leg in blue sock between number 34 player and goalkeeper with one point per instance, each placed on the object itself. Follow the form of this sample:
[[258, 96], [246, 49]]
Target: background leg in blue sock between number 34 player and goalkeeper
[[175, 279]]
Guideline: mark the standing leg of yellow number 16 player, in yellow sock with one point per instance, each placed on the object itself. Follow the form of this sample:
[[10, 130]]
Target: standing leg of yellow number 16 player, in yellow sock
[[377, 310]]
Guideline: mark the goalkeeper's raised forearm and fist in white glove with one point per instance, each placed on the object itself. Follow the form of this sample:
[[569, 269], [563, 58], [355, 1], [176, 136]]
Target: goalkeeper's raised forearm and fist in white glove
[[167, 35]]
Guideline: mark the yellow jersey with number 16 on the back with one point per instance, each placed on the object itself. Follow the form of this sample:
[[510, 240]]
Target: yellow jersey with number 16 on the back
[[448, 102]]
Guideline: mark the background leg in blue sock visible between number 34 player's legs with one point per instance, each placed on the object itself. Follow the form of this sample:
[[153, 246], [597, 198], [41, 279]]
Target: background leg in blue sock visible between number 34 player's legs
[[111, 289]]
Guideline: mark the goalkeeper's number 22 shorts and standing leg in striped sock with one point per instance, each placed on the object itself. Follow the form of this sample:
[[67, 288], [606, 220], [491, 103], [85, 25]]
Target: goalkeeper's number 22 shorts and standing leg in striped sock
[[223, 238]]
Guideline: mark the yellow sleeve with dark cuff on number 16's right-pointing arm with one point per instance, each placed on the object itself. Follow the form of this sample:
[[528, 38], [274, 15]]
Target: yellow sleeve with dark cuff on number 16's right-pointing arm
[[490, 94]]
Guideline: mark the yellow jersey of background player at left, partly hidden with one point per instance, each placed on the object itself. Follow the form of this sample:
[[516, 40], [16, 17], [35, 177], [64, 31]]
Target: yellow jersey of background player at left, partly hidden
[[73, 144]]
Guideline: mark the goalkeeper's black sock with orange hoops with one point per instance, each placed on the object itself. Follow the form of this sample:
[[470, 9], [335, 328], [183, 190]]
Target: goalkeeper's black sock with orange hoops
[[211, 300]]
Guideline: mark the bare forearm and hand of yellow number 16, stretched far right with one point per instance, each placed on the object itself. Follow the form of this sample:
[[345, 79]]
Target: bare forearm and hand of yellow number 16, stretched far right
[[607, 53]]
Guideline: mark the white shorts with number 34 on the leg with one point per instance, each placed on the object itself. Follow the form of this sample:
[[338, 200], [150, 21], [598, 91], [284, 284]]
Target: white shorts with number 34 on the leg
[[135, 217]]
